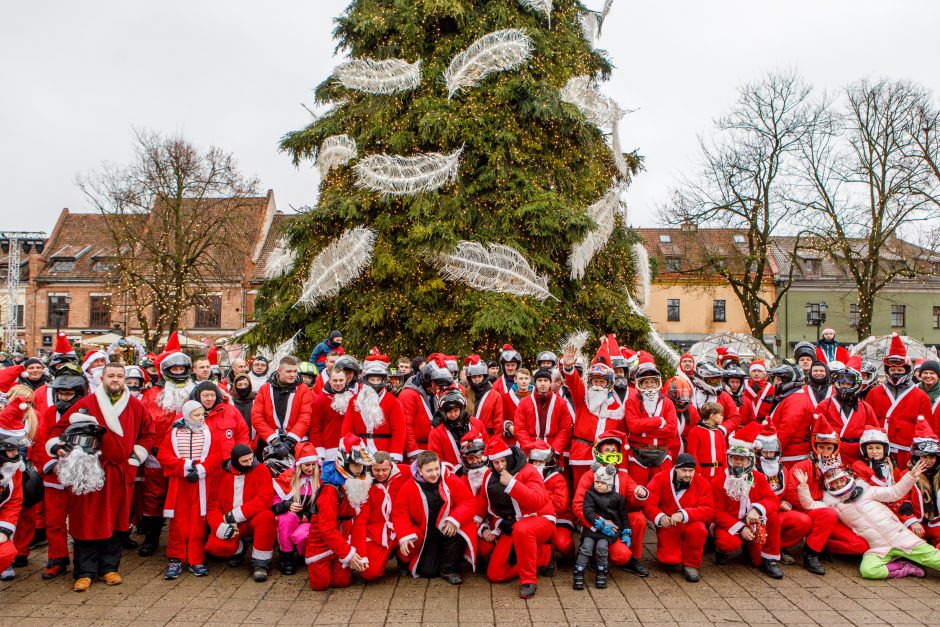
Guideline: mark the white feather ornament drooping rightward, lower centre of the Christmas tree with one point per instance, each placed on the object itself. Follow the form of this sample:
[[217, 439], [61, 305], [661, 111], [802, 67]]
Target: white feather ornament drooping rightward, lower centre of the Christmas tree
[[494, 268]]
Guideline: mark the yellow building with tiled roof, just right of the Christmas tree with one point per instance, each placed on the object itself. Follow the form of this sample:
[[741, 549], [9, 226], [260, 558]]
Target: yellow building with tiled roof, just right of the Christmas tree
[[685, 303]]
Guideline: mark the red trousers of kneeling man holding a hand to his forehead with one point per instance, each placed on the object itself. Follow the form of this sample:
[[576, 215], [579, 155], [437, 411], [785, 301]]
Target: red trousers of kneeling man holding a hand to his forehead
[[530, 538]]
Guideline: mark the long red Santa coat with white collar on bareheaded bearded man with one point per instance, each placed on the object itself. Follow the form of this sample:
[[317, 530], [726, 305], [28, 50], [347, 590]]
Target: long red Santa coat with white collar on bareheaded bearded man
[[97, 515]]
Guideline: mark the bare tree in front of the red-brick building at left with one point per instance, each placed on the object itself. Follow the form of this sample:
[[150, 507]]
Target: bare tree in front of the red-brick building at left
[[174, 218]]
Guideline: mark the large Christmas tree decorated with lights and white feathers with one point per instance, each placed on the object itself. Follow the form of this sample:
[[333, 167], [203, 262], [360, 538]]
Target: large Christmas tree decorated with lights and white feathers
[[471, 182]]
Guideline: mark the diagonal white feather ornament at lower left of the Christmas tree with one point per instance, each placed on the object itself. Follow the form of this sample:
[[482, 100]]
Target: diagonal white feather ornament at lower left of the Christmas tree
[[338, 264]]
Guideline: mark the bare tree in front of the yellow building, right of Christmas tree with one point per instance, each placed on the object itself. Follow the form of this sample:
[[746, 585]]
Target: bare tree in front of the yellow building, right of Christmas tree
[[747, 183]]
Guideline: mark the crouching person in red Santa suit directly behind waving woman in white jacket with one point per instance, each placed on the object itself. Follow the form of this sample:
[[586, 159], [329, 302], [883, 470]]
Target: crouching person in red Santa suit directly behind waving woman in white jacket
[[837, 537]]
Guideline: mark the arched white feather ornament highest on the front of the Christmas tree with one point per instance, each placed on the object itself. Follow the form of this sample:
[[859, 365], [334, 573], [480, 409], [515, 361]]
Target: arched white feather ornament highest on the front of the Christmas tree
[[496, 52]]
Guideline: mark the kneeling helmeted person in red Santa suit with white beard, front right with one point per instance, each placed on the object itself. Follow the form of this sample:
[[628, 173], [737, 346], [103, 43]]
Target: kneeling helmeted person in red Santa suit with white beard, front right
[[746, 512]]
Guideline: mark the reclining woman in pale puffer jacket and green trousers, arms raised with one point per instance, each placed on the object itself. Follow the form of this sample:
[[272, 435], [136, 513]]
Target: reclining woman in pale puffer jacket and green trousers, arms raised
[[862, 508]]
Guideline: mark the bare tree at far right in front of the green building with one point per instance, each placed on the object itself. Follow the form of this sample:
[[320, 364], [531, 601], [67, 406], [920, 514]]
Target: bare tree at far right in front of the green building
[[871, 182]]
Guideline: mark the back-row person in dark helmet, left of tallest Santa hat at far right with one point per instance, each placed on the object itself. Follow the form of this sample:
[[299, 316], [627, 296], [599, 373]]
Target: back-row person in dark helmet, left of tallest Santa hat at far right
[[846, 413]]
